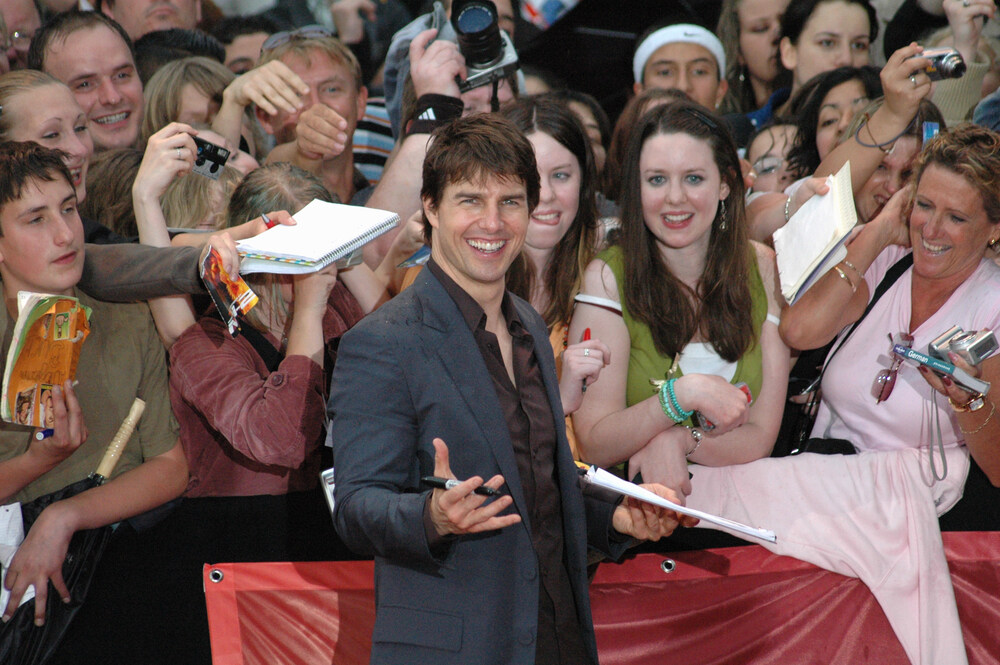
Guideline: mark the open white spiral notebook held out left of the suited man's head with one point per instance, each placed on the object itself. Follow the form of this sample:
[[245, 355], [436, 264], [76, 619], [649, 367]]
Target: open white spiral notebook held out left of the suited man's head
[[323, 233]]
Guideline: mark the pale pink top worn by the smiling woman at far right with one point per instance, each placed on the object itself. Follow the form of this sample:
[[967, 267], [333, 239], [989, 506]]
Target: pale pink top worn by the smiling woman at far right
[[904, 420]]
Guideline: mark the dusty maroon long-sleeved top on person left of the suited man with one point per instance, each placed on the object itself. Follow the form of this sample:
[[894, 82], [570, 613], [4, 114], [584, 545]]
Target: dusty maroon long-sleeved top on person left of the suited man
[[247, 431]]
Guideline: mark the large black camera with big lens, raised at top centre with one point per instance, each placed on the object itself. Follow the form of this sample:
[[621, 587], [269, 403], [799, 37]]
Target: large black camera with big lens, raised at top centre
[[489, 54]]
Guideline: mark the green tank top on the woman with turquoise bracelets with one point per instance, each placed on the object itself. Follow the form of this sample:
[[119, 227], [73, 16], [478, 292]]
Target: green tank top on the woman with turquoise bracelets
[[646, 363]]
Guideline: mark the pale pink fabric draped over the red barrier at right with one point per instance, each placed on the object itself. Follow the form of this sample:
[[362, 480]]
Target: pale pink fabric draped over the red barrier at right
[[872, 516]]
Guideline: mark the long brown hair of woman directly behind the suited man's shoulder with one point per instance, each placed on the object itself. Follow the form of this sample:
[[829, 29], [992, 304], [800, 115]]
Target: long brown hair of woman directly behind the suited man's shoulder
[[571, 255]]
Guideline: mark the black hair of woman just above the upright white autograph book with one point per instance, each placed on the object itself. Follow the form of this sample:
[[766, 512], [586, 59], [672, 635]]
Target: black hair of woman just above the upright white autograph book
[[803, 156]]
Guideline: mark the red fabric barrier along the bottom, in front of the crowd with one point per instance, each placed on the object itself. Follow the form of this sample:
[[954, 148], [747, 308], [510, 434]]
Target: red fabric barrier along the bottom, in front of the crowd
[[734, 606]]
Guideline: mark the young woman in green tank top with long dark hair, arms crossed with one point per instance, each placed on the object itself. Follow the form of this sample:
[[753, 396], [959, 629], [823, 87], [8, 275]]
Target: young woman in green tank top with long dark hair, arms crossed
[[695, 294]]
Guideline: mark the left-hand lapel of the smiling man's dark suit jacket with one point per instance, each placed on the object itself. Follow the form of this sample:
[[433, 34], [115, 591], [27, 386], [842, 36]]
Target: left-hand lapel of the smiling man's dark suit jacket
[[446, 333]]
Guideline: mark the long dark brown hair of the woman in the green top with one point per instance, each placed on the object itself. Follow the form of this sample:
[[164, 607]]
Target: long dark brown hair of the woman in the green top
[[720, 306]]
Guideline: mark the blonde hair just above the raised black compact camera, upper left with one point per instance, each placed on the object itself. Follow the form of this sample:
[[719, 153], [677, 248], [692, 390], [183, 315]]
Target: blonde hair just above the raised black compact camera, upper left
[[162, 93]]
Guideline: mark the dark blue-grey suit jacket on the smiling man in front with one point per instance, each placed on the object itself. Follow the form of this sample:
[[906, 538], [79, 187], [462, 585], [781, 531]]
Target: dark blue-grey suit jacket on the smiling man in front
[[409, 372]]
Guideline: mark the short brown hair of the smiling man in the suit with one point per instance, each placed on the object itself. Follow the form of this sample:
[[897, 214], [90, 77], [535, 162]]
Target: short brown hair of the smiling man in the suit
[[472, 149]]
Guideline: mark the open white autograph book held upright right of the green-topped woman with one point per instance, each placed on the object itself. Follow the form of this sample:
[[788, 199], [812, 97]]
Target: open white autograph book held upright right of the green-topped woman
[[813, 240]]
